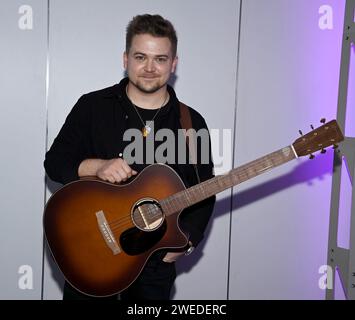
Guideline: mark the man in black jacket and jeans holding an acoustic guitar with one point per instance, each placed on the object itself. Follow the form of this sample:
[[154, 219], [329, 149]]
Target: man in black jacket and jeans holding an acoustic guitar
[[91, 141]]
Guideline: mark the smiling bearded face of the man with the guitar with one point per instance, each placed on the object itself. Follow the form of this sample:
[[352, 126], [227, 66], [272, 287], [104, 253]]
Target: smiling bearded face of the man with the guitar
[[149, 62]]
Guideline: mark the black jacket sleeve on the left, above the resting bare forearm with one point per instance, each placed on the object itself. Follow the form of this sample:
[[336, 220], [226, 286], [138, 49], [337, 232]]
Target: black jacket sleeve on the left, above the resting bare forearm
[[69, 148]]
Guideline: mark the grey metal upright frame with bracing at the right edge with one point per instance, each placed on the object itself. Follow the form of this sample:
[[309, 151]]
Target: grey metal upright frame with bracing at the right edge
[[341, 259]]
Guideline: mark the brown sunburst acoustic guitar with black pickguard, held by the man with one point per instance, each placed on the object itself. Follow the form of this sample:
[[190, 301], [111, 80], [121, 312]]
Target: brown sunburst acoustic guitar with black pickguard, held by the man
[[101, 234]]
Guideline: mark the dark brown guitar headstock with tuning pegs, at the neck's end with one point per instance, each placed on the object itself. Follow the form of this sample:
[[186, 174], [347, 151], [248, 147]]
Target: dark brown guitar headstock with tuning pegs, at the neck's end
[[318, 139]]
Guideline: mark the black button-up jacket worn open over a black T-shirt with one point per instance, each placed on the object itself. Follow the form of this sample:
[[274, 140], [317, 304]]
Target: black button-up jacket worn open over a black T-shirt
[[94, 129]]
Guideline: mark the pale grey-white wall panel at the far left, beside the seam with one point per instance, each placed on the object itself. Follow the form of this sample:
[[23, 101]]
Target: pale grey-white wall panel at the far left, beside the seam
[[22, 140]]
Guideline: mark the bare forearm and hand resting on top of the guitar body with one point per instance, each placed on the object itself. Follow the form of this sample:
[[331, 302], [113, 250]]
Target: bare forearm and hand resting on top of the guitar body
[[114, 170]]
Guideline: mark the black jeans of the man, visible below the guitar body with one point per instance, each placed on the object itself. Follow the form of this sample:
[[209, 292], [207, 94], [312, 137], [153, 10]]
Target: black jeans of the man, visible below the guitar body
[[154, 283]]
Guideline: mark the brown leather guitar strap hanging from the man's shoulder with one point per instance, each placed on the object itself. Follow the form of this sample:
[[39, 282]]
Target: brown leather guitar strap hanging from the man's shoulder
[[186, 123]]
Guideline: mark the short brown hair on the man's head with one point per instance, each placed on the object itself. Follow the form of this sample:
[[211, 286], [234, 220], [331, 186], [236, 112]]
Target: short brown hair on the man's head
[[154, 25]]
